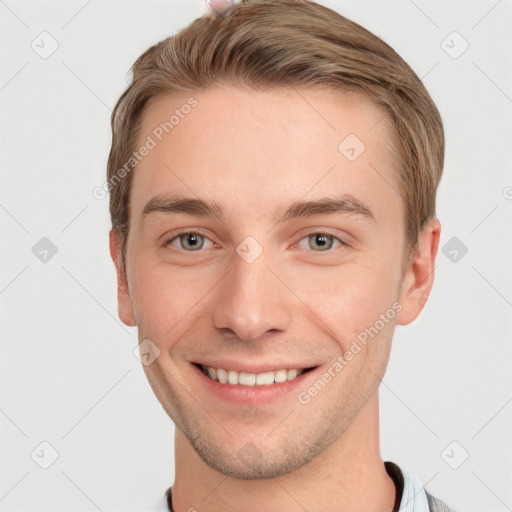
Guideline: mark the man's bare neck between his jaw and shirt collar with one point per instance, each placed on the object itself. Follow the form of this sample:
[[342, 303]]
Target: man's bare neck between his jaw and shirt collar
[[349, 475]]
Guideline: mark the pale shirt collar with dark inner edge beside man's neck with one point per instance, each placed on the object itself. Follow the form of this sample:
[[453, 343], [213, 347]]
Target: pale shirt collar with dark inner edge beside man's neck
[[411, 494]]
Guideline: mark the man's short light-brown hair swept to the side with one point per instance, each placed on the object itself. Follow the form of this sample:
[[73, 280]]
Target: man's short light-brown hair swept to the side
[[270, 44]]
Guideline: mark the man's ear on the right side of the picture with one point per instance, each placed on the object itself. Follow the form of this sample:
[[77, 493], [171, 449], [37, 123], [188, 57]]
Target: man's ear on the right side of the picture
[[418, 277]]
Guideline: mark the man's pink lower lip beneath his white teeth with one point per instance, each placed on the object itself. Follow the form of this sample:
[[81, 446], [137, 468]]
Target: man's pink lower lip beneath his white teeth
[[252, 395]]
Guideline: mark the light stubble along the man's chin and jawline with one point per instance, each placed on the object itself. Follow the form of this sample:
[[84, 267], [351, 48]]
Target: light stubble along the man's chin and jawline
[[284, 450]]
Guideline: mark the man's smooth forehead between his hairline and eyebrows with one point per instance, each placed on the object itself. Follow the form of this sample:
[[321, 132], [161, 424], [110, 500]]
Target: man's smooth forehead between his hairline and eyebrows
[[256, 149]]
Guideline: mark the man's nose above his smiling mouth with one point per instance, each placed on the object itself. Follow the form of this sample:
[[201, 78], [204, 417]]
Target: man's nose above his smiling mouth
[[252, 301]]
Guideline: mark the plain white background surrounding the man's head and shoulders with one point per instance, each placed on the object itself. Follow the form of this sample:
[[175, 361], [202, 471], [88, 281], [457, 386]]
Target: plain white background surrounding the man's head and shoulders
[[68, 376]]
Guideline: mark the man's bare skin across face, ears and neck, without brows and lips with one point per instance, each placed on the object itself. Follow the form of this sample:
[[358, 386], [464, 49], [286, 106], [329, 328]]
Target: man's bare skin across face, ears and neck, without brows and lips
[[249, 152]]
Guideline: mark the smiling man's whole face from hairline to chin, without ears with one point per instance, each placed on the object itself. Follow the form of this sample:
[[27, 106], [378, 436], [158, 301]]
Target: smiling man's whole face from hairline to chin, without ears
[[294, 295]]
